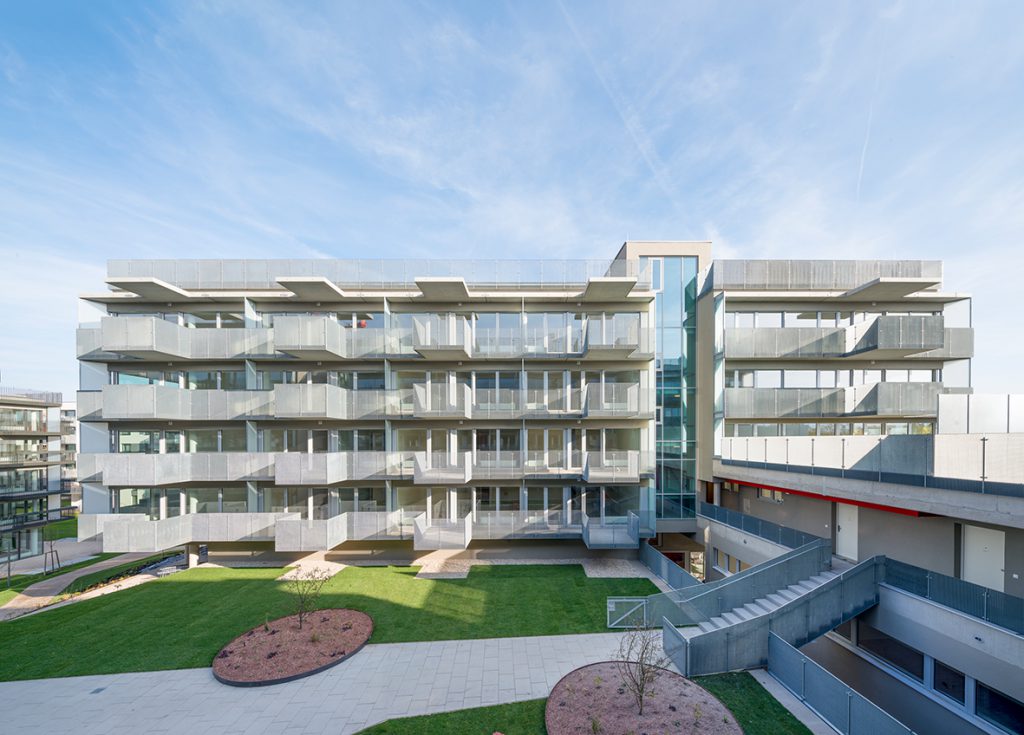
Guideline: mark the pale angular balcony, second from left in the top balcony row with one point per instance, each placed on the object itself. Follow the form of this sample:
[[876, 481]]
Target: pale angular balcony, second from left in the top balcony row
[[325, 339]]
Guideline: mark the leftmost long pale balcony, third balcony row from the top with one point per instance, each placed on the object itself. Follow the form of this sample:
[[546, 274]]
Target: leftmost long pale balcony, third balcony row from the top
[[117, 470]]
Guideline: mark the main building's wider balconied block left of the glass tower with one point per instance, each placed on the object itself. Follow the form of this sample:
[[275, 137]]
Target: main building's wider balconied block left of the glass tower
[[439, 403]]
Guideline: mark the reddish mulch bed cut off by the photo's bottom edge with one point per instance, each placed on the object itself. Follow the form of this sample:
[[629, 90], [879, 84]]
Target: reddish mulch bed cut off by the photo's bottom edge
[[592, 700]]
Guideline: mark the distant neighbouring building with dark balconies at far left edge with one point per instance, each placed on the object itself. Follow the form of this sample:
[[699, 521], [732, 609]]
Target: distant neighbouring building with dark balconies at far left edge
[[30, 469]]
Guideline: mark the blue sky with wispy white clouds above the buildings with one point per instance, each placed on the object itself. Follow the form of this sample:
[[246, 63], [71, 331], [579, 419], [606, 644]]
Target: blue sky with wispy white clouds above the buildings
[[528, 129]]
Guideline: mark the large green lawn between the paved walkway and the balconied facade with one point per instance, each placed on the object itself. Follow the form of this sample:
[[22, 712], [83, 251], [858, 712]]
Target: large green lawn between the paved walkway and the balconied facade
[[198, 612]]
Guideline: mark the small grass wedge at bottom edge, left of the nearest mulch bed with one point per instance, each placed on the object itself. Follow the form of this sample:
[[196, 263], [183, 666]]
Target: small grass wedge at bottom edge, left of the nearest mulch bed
[[517, 719]]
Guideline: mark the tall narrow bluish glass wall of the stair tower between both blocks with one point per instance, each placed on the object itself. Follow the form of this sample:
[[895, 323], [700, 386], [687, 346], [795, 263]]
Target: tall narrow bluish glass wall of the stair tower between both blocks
[[675, 324]]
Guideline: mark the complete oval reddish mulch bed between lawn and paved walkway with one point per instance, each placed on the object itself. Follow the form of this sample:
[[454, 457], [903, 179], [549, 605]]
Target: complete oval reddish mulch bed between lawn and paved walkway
[[280, 653]]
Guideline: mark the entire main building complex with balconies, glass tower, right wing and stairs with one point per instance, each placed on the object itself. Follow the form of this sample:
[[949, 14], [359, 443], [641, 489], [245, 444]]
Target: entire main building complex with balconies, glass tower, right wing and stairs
[[761, 415]]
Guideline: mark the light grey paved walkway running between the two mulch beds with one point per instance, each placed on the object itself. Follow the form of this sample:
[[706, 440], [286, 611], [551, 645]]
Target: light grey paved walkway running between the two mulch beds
[[382, 682]]
